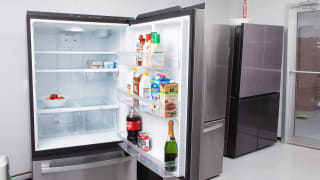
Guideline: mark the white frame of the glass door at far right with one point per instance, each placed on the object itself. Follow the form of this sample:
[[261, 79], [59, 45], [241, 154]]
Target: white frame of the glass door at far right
[[291, 71]]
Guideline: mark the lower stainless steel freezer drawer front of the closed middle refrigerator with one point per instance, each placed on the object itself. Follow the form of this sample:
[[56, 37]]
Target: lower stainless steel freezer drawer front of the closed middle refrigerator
[[211, 155]]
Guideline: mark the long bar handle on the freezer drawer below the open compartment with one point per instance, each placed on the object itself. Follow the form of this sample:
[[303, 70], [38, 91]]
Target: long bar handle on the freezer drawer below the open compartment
[[47, 169]]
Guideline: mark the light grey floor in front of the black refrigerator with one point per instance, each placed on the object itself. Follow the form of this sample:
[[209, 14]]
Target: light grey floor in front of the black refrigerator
[[279, 162]]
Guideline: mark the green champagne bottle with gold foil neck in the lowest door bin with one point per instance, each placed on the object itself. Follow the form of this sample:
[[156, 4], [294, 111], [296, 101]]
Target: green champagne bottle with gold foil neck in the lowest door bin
[[170, 149]]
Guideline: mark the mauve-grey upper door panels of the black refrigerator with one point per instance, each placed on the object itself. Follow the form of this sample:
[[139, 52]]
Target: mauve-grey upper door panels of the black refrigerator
[[261, 59]]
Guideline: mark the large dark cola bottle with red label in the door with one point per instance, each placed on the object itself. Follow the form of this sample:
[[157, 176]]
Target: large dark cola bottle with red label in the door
[[133, 125]]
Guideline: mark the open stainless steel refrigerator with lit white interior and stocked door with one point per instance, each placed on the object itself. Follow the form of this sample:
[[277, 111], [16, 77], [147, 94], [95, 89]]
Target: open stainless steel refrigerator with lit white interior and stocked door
[[85, 60]]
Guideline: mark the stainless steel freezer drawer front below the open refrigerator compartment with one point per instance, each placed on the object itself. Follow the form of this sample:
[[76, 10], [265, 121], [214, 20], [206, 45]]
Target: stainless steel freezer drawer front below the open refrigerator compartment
[[112, 165]]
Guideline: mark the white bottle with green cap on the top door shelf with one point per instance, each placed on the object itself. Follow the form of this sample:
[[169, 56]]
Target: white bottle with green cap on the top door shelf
[[156, 53]]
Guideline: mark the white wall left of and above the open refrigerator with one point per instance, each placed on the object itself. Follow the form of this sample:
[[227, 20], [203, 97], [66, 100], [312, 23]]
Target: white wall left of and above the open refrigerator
[[14, 92]]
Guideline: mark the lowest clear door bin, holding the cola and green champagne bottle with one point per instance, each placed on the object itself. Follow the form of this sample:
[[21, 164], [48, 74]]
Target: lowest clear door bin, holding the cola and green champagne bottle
[[146, 159]]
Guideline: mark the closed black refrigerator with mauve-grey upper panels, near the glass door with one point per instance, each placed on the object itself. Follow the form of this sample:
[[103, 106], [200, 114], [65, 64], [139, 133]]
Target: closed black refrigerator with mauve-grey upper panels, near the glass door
[[254, 88]]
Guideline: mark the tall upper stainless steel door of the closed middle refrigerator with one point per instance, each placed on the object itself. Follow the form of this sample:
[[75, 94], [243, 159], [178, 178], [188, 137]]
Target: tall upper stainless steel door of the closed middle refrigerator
[[215, 67]]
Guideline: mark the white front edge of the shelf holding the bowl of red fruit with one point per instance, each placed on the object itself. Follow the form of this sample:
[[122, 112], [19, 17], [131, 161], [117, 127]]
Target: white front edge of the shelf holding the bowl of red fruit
[[77, 109]]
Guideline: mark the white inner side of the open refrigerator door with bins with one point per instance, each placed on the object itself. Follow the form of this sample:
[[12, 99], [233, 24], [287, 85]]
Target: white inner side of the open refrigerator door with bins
[[175, 37]]
